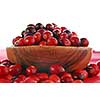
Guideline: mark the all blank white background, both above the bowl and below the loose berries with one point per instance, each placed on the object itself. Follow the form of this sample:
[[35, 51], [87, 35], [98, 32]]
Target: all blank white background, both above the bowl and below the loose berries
[[81, 16]]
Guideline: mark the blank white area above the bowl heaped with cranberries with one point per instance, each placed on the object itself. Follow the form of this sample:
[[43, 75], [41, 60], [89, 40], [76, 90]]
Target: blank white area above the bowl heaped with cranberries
[[79, 16]]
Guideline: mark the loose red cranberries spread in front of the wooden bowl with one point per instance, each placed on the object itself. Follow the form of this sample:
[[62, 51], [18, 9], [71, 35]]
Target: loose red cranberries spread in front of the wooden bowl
[[14, 73]]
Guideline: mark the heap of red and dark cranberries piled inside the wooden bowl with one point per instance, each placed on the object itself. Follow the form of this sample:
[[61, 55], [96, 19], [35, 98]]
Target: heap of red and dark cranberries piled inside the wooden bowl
[[50, 35]]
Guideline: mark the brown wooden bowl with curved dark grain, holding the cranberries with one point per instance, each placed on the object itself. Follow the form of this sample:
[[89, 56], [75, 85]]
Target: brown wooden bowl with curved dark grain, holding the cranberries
[[71, 58]]
